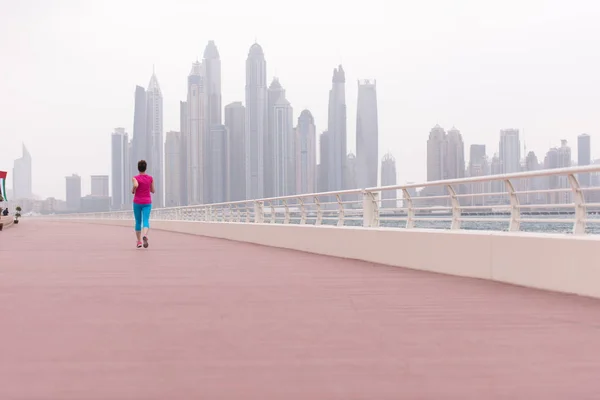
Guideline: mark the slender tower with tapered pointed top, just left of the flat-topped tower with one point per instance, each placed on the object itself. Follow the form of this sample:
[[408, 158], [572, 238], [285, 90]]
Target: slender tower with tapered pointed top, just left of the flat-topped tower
[[336, 130]]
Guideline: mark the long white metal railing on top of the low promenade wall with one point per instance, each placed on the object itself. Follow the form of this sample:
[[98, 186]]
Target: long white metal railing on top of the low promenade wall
[[512, 202]]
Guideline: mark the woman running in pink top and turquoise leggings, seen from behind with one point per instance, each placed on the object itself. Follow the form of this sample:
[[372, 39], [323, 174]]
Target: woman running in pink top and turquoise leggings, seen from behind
[[143, 185]]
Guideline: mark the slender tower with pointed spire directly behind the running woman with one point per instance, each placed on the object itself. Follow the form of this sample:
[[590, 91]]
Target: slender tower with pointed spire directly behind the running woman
[[154, 125]]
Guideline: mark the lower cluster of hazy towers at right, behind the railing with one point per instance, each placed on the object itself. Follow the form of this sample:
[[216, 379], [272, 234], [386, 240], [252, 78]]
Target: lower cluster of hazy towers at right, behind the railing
[[446, 160]]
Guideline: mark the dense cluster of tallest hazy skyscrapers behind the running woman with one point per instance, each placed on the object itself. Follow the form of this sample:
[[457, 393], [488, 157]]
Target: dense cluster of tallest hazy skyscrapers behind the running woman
[[256, 152]]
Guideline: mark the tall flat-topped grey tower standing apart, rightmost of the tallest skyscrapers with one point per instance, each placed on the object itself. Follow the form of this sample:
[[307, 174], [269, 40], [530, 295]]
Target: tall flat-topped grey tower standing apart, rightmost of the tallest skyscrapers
[[367, 135]]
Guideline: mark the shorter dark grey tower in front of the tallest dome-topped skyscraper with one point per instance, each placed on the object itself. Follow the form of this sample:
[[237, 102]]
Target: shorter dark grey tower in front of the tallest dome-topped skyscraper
[[218, 172]]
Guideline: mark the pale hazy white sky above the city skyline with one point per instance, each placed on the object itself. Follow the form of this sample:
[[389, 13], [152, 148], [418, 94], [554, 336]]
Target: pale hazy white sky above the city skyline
[[69, 68]]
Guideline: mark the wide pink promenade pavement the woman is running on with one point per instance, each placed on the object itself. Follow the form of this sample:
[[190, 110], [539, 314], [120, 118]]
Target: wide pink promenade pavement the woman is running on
[[85, 315]]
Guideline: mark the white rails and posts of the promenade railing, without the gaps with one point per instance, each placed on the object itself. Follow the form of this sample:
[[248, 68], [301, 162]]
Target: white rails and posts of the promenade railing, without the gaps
[[335, 205]]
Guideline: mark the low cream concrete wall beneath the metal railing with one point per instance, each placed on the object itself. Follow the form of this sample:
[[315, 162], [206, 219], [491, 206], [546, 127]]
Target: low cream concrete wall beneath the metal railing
[[562, 263]]
